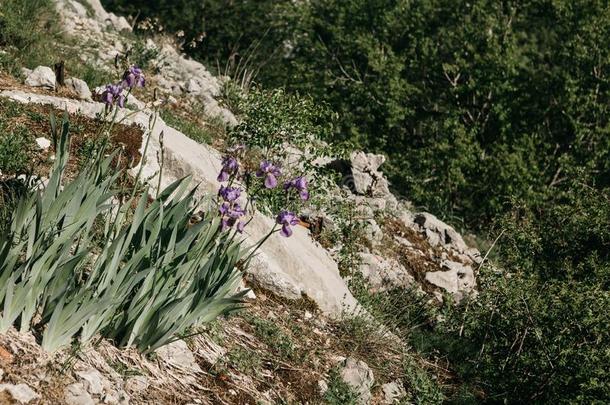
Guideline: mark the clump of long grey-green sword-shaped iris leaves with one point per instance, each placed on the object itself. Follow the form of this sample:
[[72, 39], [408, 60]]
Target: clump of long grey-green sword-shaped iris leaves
[[74, 266]]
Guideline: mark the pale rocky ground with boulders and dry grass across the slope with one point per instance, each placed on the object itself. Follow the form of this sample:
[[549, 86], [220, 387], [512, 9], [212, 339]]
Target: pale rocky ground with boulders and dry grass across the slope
[[303, 334]]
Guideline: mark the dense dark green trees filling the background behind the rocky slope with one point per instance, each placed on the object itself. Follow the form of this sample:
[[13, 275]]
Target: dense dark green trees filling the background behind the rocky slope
[[485, 101]]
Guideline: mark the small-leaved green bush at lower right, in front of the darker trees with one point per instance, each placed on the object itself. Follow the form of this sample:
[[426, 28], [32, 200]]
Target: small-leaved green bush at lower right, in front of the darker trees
[[538, 332]]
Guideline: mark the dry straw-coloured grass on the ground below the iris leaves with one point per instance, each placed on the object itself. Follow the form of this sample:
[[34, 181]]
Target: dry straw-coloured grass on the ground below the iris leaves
[[286, 369]]
